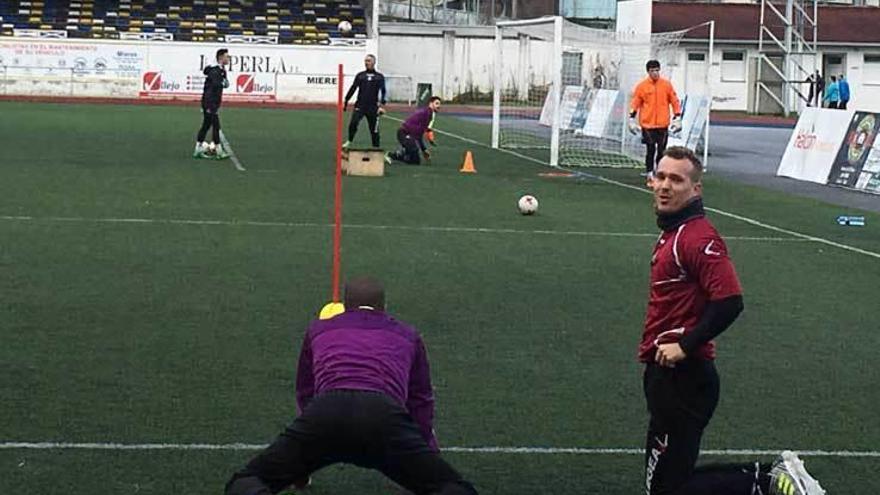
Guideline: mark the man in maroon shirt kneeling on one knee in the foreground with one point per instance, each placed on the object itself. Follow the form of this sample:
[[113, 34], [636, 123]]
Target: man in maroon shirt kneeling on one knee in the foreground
[[695, 295]]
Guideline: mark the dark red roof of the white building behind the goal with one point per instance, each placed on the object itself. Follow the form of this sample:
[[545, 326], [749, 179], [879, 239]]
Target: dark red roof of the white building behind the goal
[[736, 21]]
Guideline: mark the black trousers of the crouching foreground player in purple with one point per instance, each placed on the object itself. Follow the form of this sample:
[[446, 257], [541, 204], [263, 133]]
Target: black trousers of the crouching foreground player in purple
[[367, 429]]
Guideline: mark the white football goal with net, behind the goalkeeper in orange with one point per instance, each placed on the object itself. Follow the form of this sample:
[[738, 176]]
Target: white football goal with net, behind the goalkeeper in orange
[[562, 91]]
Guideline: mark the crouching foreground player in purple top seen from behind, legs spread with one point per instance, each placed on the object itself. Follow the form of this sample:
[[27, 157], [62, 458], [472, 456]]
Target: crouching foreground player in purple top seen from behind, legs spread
[[364, 397]]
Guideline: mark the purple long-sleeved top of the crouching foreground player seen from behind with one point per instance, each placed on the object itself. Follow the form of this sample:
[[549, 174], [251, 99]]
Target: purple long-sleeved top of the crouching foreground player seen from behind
[[362, 349]]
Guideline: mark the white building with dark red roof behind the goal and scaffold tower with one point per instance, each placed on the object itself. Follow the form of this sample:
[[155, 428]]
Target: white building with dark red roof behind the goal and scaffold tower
[[848, 45]]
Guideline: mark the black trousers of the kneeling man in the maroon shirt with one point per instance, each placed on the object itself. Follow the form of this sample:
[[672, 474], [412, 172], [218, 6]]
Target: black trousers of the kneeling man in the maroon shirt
[[681, 402]]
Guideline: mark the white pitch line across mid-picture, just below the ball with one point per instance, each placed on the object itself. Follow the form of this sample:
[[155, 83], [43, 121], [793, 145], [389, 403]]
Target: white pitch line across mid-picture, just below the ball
[[411, 228]]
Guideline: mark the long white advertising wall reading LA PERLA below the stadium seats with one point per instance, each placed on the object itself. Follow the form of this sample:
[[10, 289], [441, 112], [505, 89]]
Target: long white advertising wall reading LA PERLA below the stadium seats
[[172, 70]]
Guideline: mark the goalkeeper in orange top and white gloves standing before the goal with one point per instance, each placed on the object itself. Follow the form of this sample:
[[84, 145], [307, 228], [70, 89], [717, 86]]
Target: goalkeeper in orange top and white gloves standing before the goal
[[651, 100]]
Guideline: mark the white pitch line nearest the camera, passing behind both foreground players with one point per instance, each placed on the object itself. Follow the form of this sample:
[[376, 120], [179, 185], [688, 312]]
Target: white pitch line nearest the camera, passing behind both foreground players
[[465, 450]]
